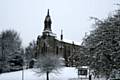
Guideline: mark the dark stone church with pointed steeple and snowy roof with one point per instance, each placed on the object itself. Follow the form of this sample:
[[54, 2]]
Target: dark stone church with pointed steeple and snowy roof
[[47, 43]]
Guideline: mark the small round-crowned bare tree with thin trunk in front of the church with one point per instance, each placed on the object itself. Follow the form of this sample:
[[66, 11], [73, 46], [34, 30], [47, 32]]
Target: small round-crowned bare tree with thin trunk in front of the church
[[48, 64]]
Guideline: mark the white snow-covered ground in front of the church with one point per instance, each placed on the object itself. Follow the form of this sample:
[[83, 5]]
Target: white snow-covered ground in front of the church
[[64, 74]]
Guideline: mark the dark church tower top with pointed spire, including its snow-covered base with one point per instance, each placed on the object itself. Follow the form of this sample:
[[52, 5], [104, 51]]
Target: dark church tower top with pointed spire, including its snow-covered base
[[47, 25]]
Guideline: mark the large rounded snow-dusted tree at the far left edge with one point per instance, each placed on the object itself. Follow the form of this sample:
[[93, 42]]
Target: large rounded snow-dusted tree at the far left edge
[[10, 46]]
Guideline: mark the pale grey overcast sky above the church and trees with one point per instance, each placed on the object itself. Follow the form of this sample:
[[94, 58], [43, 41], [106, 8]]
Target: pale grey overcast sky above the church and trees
[[27, 16]]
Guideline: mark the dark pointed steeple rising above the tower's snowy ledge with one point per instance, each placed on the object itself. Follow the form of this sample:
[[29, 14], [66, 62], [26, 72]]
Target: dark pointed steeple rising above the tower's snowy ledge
[[47, 23]]
